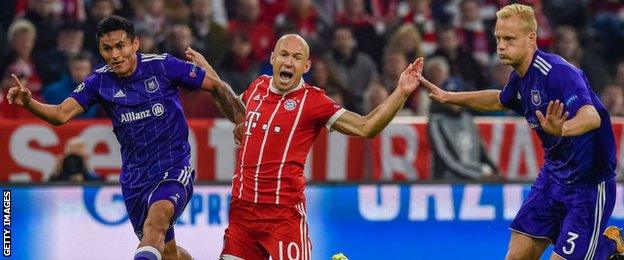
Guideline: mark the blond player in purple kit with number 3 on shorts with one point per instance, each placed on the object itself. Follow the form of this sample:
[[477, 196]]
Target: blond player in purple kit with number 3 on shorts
[[573, 197]]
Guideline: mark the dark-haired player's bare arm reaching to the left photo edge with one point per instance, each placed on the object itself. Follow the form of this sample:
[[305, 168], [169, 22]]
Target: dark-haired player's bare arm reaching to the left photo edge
[[53, 114]]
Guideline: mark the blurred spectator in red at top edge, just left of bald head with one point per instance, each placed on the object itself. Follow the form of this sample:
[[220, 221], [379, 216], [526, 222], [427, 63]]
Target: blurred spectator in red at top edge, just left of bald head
[[246, 22]]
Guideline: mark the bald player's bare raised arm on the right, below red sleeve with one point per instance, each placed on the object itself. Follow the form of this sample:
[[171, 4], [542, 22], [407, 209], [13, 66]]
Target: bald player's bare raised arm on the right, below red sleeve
[[370, 125]]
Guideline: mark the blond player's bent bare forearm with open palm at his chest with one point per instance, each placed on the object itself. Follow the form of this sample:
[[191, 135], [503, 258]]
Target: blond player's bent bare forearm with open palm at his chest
[[555, 121]]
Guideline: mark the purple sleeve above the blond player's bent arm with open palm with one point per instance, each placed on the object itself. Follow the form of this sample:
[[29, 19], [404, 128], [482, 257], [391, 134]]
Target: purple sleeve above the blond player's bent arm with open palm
[[573, 88]]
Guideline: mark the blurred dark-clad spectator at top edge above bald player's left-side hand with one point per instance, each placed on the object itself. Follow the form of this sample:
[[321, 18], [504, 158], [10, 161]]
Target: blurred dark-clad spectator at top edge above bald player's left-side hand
[[209, 35]]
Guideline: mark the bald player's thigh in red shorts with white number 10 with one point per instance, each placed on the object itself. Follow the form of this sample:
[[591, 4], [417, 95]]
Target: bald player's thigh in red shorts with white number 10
[[290, 239]]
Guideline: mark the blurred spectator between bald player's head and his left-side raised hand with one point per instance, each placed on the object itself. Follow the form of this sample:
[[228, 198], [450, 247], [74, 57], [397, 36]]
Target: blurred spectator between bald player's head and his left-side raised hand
[[239, 68]]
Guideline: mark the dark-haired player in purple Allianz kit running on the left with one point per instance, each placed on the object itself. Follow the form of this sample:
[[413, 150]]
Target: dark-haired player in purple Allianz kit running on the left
[[139, 92]]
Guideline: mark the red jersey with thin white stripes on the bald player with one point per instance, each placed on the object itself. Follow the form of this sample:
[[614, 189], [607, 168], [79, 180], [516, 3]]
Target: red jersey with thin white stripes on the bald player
[[280, 129]]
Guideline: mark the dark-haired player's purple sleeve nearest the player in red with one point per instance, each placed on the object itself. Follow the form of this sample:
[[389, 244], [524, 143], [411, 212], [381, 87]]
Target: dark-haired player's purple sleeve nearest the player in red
[[186, 74]]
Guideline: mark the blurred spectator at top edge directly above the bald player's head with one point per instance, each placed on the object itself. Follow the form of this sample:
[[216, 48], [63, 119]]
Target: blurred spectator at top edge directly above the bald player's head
[[302, 16]]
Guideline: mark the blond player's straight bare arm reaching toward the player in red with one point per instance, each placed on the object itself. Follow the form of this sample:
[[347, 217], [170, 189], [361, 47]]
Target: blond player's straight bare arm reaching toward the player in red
[[483, 100]]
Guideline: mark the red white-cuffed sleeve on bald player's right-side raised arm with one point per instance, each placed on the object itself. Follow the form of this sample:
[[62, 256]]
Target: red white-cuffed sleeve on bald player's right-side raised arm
[[325, 111]]
